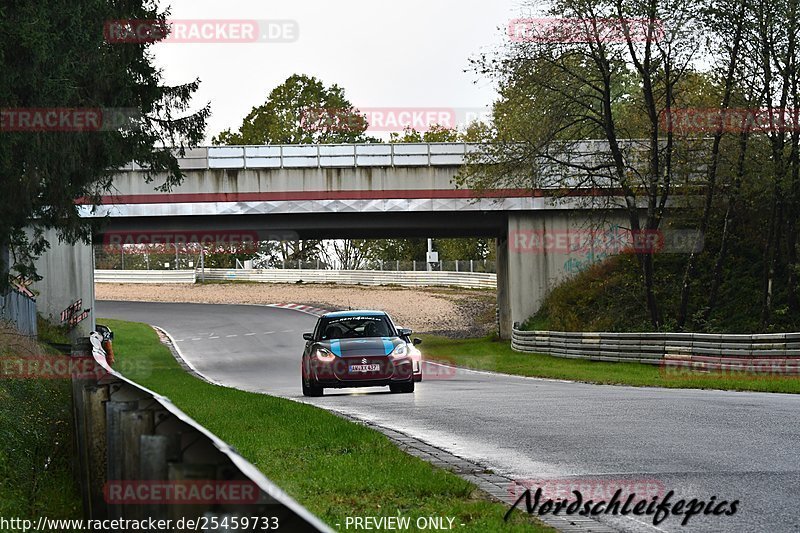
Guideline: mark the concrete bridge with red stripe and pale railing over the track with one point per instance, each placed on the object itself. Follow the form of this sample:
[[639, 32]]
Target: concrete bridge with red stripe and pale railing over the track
[[357, 191]]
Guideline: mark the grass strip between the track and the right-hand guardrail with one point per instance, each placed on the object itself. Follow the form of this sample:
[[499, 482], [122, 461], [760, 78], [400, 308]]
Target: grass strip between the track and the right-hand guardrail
[[495, 355]]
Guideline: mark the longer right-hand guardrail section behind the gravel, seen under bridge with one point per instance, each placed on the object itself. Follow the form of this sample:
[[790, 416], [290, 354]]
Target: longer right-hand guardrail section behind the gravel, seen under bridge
[[358, 277]]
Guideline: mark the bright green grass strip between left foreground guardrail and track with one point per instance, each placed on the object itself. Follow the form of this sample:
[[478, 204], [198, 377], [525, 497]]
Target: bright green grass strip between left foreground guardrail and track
[[332, 466]]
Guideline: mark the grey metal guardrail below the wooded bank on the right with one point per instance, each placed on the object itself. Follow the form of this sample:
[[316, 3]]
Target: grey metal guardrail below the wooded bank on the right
[[707, 349]]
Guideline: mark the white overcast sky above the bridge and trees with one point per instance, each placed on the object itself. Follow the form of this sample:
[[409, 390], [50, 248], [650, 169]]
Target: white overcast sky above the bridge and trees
[[384, 54]]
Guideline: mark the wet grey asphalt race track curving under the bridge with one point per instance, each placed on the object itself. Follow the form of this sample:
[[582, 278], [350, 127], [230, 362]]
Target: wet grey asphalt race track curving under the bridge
[[732, 445]]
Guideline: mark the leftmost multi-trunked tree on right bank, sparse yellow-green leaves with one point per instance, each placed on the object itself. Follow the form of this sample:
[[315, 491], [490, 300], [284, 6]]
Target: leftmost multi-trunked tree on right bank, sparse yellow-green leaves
[[557, 90]]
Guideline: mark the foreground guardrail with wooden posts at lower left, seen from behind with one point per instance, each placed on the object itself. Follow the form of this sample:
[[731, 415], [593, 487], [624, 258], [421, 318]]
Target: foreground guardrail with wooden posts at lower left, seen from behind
[[140, 457]]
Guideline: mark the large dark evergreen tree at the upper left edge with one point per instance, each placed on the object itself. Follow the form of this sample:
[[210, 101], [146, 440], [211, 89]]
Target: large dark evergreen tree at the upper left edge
[[61, 59]]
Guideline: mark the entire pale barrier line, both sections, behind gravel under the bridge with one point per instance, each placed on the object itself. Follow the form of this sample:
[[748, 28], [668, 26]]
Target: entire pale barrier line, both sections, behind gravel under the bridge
[[467, 280]]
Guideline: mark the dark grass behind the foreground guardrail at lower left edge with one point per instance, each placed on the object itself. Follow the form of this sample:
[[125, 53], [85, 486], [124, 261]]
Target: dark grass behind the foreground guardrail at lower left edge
[[36, 451]]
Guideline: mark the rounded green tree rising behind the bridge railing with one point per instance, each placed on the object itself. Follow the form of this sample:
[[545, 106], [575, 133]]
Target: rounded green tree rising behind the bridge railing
[[301, 111]]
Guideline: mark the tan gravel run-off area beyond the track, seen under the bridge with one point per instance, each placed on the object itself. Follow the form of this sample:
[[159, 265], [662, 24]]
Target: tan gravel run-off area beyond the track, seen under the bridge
[[451, 312]]
